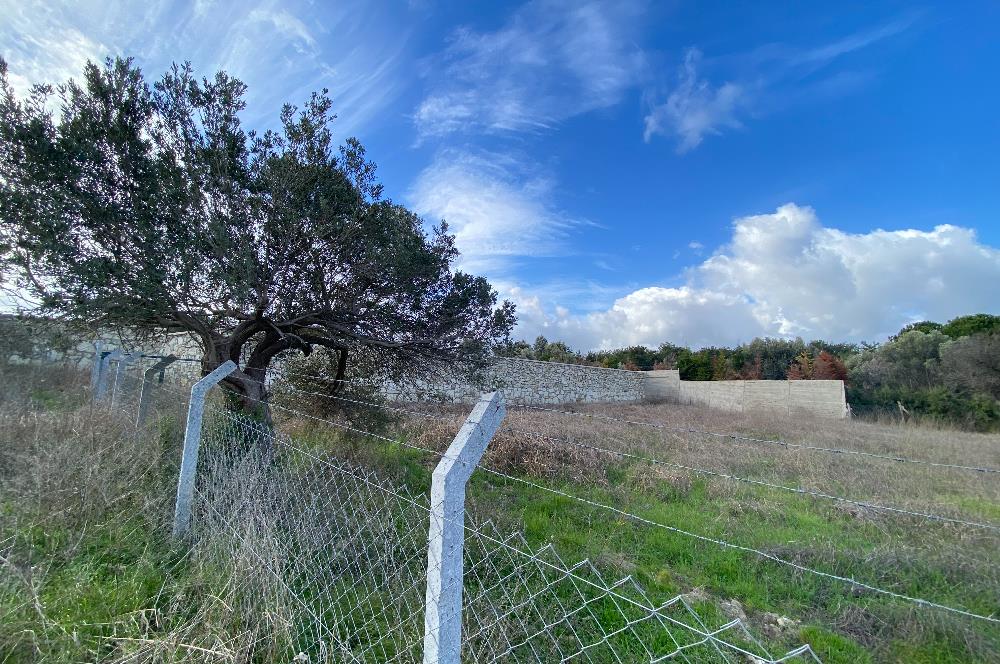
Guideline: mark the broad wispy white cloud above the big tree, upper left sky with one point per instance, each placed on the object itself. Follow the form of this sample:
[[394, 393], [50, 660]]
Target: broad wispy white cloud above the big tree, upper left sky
[[282, 50]]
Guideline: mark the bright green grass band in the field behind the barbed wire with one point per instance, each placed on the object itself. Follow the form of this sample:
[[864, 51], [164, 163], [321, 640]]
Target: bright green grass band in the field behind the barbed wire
[[801, 529]]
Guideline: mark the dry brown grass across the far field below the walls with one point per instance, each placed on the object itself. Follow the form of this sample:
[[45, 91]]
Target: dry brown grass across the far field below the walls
[[531, 442]]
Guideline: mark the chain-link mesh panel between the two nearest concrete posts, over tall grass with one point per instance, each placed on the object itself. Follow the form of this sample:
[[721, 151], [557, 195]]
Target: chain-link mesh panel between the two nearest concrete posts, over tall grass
[[329, 557]]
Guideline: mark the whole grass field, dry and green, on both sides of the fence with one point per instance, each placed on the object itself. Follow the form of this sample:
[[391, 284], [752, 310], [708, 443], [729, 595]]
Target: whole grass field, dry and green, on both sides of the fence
[[88, 572]]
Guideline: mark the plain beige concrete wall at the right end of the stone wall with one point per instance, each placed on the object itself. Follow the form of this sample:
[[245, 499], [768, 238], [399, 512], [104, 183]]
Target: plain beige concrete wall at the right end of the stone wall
[[822, 398]]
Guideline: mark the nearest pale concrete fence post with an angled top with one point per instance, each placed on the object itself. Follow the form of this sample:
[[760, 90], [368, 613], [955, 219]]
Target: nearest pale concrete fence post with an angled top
[[446, 538]]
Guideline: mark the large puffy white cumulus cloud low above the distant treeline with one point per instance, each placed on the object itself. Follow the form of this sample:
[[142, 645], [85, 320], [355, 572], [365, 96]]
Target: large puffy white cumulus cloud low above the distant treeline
[[785, 274]]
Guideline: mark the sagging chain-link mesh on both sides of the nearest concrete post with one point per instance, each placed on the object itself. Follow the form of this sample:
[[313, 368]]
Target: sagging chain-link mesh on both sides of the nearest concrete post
[[332, 560]]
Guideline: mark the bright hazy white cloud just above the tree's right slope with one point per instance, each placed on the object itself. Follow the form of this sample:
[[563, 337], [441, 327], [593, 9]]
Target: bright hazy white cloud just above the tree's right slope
[[497, 208]]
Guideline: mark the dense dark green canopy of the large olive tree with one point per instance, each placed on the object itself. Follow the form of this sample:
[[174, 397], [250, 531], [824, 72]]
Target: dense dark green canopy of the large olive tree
[[150, 208]]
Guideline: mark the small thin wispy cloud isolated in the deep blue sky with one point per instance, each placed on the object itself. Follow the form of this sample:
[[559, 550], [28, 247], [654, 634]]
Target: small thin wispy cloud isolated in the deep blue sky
[[695, 108]]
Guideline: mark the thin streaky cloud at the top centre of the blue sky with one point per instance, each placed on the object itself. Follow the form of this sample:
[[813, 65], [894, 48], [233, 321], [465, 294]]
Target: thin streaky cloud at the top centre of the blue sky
[[552, 60]]
